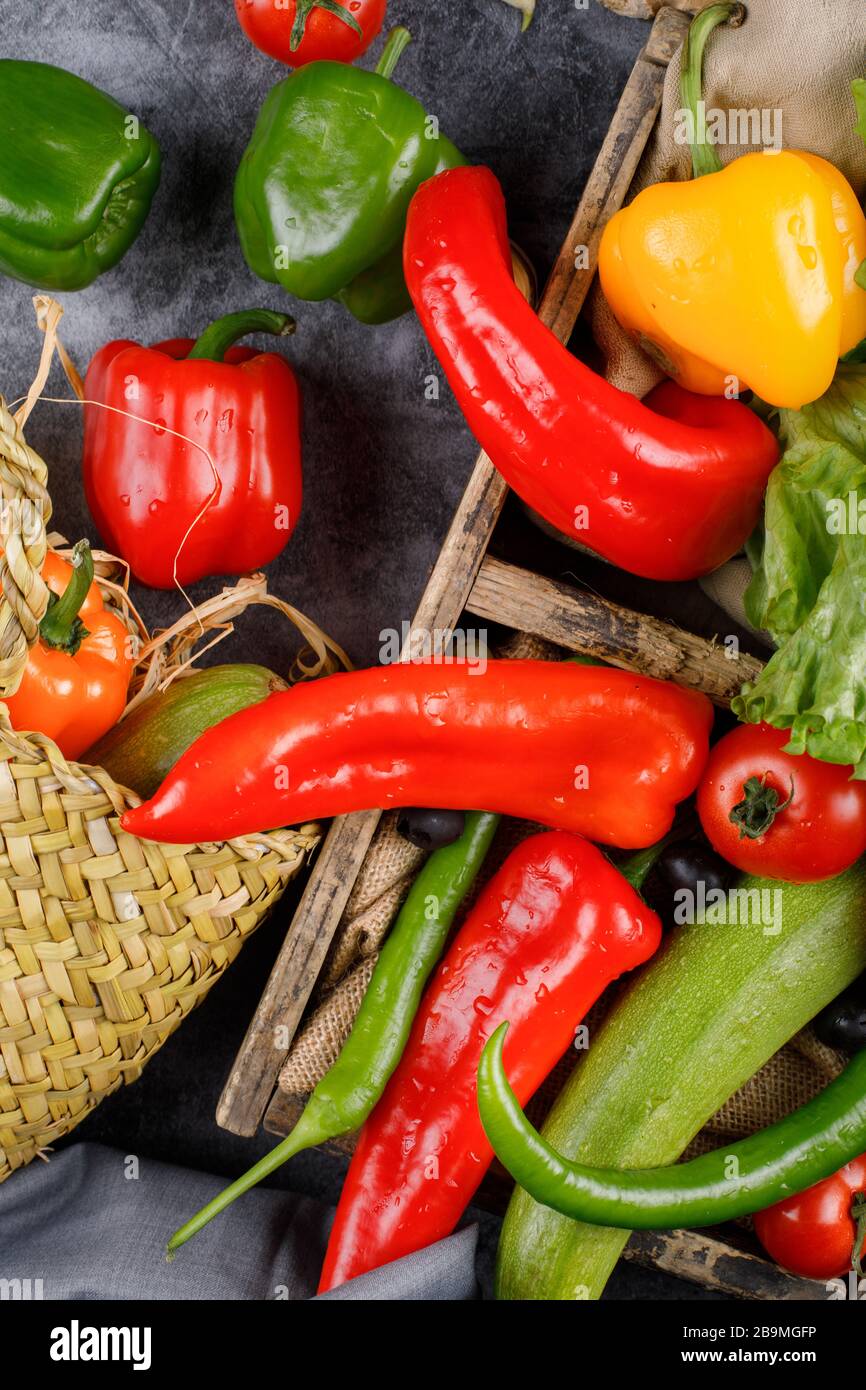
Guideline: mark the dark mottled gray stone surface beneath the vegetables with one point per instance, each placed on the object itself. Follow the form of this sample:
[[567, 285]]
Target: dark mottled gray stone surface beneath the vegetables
[[384, 468]]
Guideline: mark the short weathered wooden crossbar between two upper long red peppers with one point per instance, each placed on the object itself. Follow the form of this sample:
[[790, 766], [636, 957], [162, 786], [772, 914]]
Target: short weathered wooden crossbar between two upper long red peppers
[[586, 623]]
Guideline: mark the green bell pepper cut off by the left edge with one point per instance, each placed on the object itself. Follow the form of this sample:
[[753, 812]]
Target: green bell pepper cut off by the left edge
[[77, 177]]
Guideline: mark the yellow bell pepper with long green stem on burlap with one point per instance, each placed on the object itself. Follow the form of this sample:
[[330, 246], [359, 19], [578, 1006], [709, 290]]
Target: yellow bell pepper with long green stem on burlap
[[746, 277]]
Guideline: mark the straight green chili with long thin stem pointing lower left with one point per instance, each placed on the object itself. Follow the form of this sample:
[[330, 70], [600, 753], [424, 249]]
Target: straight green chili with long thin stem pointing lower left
[[345, 1097]]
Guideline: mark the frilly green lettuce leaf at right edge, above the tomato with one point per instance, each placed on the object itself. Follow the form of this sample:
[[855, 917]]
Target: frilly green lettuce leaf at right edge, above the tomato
[[810, 586]]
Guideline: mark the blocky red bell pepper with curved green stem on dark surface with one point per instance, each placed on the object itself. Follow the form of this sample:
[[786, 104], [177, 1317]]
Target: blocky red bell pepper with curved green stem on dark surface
[[156, 497]]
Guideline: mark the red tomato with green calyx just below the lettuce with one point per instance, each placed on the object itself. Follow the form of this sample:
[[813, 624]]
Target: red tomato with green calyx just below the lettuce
[[818, 835]]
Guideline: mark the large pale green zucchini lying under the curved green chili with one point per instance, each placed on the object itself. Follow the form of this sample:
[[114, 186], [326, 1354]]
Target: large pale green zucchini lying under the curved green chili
[[712, 1007]]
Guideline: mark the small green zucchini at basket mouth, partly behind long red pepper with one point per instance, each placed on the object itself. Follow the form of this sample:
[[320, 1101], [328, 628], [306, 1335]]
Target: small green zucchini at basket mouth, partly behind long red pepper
[[144, 749]]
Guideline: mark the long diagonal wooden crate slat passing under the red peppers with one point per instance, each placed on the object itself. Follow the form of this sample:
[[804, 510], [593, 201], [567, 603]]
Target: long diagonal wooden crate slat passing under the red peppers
[[256, 1068]]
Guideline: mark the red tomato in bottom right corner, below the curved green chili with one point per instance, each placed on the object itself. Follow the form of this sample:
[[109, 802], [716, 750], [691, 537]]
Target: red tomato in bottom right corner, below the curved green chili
[[812, 1235]]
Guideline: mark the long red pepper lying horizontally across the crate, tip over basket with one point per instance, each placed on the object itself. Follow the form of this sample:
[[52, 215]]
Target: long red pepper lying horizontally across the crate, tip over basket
[[585, 749]]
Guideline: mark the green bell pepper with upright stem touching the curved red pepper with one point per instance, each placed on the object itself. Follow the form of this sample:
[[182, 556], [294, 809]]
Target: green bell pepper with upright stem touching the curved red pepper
[[325, 186]]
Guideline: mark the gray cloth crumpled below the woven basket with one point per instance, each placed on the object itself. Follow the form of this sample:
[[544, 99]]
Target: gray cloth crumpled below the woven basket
[[92, 1224]]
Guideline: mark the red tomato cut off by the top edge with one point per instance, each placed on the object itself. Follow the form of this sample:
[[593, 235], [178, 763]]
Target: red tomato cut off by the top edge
[[305, 31]]
